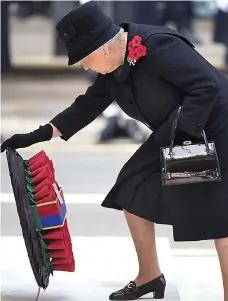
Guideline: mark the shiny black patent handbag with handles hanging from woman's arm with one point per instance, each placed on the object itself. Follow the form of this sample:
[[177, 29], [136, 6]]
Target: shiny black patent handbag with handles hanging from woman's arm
[[189, 163]]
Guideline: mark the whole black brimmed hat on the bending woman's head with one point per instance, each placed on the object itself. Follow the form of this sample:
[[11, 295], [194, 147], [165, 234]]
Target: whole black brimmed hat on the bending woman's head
[[85, 29]]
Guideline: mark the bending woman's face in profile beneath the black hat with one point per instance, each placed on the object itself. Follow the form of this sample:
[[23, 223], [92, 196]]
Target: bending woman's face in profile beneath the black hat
[[99, 61]]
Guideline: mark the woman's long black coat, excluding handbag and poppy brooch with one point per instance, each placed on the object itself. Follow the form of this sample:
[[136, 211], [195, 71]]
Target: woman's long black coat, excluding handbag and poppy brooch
[[172, 73]]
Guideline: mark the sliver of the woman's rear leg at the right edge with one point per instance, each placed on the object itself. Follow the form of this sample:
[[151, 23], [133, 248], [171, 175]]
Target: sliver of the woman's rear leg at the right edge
[[222, 249]]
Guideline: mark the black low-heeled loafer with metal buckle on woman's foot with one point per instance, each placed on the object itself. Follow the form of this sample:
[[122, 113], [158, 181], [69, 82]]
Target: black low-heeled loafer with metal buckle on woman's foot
[[133, 292]]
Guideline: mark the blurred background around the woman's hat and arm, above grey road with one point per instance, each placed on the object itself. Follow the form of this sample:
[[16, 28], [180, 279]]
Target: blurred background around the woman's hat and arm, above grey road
[[34, 63]]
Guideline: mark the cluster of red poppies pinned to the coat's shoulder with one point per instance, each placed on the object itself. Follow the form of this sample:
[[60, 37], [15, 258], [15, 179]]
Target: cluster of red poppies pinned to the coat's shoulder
[[135, 50]]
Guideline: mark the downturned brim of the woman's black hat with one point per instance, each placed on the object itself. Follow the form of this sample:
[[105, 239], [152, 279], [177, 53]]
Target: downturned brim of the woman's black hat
[[106, 36]]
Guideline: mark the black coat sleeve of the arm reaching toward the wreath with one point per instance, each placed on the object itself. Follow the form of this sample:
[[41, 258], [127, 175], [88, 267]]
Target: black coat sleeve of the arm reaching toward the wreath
[[84, 109]]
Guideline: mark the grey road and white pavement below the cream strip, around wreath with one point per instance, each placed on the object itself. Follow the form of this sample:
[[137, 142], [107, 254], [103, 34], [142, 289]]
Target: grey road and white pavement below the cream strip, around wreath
[[105, 258]]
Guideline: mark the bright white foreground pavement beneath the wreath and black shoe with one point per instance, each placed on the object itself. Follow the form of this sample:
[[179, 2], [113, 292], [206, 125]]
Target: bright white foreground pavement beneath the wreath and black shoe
[[104, 265]]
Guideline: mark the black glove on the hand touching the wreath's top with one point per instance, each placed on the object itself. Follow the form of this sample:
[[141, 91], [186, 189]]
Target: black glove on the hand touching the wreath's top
[[43, 133]]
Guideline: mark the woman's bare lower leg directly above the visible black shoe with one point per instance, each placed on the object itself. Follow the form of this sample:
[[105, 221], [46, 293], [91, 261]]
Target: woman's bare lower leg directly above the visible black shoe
[[143, 235]]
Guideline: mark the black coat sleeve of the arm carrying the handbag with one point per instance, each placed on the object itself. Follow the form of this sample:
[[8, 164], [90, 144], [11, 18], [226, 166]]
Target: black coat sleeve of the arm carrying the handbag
[[172, 59]]
